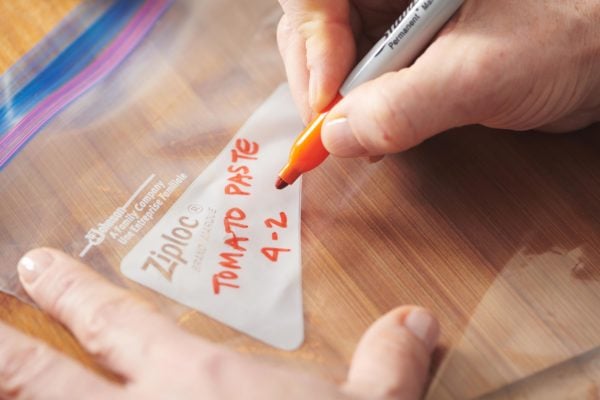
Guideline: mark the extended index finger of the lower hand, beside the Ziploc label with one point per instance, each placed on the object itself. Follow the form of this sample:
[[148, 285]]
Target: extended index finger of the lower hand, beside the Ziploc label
[[124, 332]]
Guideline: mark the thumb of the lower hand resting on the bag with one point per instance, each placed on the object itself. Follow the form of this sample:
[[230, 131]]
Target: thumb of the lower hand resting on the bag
[[392, 358]]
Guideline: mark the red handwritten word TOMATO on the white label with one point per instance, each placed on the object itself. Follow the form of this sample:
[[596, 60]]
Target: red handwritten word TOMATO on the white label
[[234, 225]]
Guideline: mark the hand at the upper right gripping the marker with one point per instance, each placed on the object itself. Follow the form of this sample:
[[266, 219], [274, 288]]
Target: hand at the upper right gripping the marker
[[504, 64]]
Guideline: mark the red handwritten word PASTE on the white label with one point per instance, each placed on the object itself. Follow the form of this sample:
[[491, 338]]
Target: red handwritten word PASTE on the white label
[[241, 177]]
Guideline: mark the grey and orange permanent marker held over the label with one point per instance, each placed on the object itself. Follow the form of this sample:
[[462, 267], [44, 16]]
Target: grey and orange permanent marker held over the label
[[397, 49]]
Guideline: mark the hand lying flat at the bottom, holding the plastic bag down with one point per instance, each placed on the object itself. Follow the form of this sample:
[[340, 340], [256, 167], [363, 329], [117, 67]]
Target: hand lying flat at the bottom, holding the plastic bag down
[[158, 360]]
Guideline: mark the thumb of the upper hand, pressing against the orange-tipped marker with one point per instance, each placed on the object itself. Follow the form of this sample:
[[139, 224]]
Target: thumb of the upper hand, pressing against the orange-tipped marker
[[396, 111]]
